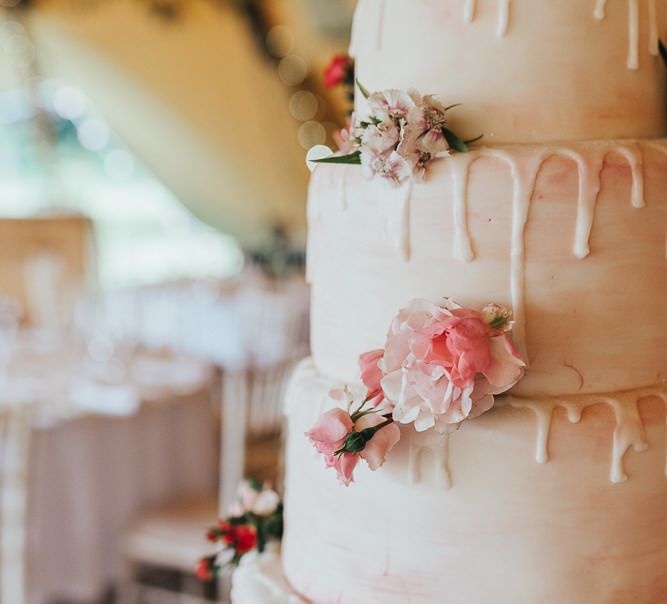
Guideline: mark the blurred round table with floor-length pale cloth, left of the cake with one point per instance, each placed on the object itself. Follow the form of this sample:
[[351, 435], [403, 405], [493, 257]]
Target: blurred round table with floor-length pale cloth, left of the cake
[[100, 454]]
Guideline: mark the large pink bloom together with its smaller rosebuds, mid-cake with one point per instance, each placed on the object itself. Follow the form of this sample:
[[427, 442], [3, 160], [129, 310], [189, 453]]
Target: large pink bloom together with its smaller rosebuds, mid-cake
[[440, 365]]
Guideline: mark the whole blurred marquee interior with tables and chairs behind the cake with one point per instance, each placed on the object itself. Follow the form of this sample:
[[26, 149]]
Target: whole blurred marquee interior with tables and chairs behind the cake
[[152, 293]]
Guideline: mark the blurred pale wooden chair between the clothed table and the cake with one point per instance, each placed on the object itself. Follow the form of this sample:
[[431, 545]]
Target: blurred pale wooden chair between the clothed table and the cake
[[173, 538]]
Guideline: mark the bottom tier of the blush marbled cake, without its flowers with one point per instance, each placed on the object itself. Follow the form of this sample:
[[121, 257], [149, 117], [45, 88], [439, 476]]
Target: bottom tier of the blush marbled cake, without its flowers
[[473, 519]]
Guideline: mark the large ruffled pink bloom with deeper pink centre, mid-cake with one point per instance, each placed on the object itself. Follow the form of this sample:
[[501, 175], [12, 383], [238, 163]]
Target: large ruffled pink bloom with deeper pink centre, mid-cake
[[443, 365]]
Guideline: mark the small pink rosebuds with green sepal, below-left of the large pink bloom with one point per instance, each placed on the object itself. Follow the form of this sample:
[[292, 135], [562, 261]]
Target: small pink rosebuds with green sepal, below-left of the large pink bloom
[[337, 428]]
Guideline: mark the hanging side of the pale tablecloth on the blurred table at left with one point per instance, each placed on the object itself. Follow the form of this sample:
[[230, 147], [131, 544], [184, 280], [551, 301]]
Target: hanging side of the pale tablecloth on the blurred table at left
[[91, 476]]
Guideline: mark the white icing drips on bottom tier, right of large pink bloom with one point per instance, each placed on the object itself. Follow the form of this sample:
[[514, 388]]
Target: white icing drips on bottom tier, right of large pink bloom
[[629, 431]]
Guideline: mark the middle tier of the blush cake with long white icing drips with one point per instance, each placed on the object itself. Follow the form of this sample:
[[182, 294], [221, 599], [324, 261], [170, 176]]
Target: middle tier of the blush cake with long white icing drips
[[571, 237]]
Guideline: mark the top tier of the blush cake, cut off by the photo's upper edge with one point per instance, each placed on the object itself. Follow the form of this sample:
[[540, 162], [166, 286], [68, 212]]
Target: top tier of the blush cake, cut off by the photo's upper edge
[[524, 70]]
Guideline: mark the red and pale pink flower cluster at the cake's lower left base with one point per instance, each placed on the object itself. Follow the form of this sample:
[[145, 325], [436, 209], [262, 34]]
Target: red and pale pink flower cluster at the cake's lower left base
[[255, 519]]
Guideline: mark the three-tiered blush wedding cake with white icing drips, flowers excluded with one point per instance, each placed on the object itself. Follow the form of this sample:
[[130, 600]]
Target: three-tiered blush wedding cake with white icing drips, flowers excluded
[[558, 495]]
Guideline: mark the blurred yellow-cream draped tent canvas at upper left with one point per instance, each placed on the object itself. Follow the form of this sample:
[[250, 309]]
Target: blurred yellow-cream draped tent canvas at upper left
[[195, 100]]
